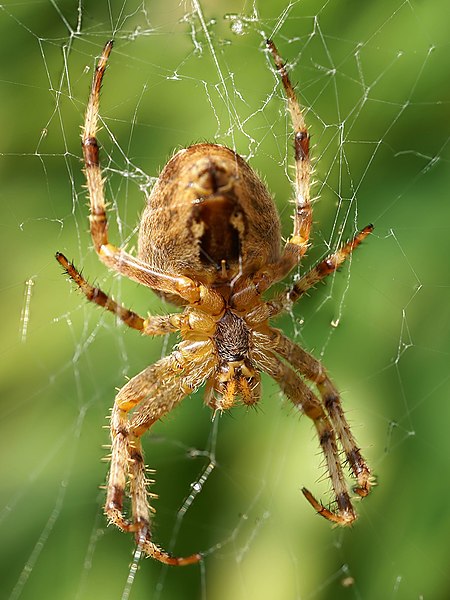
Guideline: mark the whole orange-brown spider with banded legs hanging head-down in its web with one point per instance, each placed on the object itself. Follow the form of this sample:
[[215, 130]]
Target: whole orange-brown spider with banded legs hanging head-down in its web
[[210, 242]]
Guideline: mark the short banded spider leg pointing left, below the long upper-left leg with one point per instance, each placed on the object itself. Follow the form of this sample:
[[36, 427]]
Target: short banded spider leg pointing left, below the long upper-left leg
[[152, 325]]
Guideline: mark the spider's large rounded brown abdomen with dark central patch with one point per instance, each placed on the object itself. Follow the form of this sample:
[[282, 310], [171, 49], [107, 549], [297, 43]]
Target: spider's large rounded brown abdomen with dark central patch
[[209, 215]]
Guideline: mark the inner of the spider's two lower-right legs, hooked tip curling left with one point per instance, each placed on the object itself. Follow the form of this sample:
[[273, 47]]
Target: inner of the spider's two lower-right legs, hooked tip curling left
[[303, 398]]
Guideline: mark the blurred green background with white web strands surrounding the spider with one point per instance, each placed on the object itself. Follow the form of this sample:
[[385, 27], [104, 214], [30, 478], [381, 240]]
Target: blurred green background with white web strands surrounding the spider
[[376, 96]]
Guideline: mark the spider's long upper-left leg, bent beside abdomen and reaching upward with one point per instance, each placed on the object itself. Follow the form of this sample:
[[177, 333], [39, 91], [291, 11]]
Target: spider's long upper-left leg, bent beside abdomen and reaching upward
[[114, 257]]
